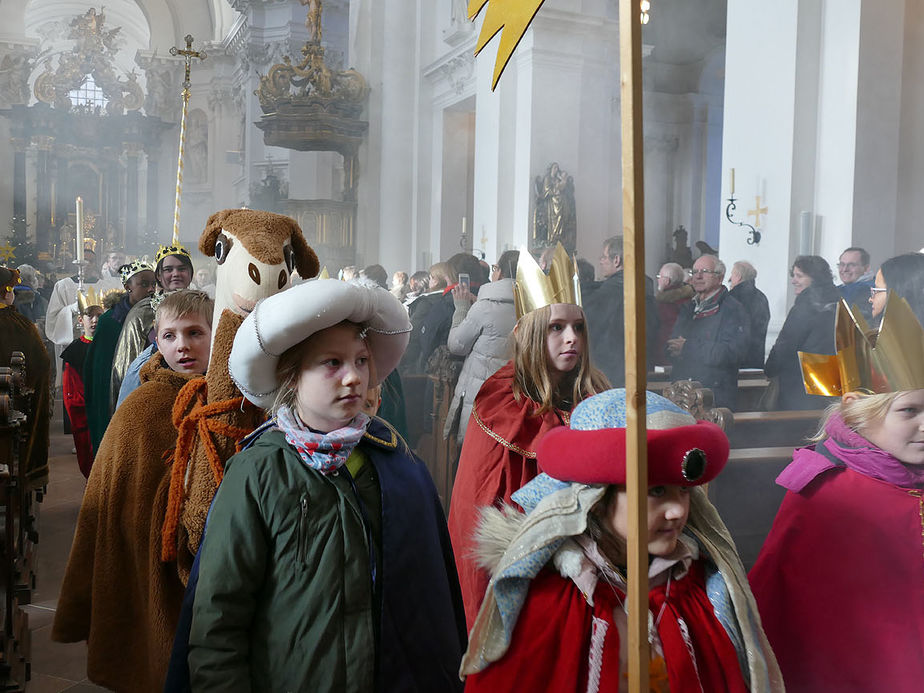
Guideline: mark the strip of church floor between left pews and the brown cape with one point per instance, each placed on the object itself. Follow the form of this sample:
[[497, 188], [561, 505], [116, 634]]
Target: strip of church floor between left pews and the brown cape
[[56, 666]]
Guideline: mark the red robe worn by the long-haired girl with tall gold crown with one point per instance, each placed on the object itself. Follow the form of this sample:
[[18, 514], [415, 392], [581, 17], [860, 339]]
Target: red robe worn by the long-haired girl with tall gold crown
[[498, 457]]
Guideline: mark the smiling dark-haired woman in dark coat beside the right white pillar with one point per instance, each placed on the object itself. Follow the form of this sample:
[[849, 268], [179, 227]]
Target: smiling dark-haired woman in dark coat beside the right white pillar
[[809, 327]]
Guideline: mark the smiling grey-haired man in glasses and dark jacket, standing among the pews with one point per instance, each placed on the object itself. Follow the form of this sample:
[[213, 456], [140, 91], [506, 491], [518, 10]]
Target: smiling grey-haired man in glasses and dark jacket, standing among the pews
[[710, 339]]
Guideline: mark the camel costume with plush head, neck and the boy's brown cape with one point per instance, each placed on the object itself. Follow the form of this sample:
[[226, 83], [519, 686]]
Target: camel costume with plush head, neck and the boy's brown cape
[[154, 470]]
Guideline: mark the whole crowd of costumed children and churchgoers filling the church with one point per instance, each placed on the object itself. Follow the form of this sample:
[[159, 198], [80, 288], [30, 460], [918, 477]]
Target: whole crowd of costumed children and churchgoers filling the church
[[323, 559]]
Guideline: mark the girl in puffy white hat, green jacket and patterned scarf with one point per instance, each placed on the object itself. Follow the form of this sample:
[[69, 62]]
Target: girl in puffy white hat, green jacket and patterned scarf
[[326, 564]]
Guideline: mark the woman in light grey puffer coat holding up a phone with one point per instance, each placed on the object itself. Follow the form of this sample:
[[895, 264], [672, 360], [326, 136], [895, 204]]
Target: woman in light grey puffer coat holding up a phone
[[481, 332]]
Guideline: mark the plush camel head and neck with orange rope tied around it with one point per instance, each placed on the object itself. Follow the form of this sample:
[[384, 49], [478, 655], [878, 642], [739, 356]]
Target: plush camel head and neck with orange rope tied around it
[[256, 253]]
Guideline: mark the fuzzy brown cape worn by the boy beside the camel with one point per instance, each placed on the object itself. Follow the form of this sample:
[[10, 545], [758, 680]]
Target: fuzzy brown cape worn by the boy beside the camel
[[117, 595]]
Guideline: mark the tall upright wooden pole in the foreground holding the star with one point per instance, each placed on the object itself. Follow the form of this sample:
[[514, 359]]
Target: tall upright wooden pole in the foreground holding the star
[[633, 222]]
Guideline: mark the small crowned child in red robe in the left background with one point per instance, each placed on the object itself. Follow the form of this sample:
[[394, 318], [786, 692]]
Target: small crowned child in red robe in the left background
[[74, 356]]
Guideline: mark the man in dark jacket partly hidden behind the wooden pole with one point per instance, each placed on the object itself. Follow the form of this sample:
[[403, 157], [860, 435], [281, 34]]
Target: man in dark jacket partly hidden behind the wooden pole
[[604, 311]]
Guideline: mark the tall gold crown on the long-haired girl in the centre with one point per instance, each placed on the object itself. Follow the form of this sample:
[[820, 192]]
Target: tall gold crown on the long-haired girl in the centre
[[533, 289]]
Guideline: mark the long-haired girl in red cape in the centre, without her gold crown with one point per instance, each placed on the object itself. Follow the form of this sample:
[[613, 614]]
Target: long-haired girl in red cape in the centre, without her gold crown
[[532, 394]]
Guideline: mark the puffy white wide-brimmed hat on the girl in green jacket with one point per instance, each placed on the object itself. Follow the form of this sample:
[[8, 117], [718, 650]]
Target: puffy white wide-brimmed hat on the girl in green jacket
[[279, 322]]
